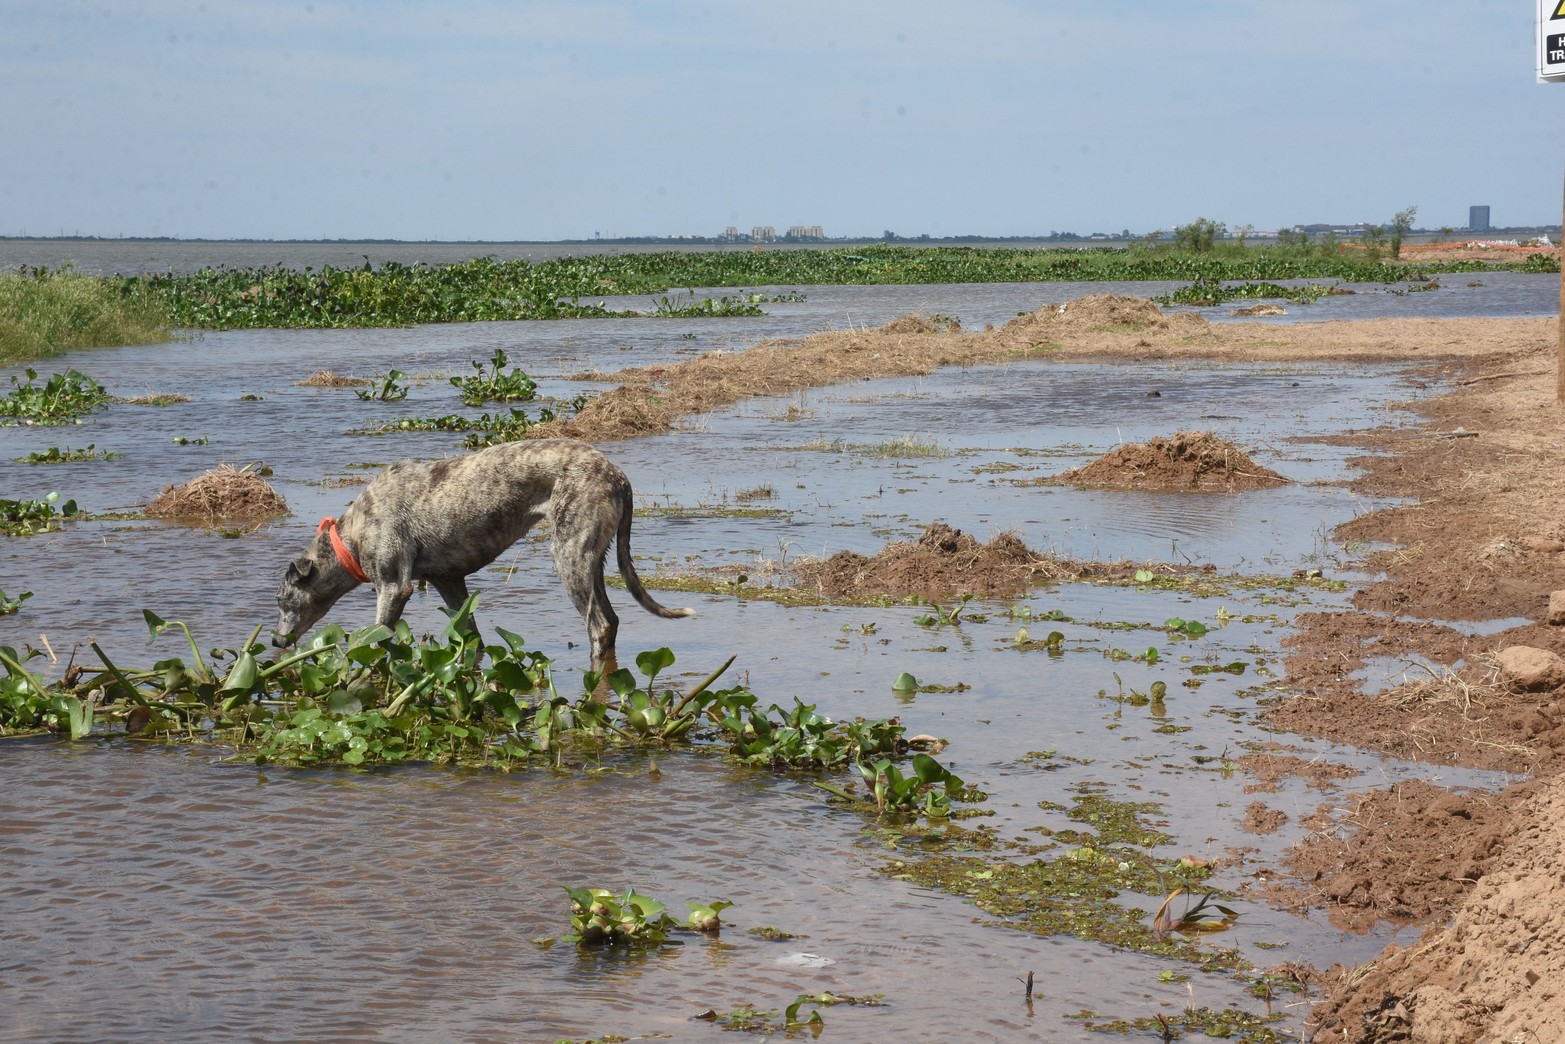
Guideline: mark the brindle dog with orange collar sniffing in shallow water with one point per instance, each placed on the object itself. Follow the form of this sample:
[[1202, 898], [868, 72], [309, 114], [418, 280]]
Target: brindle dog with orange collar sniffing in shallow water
[[444, 520]]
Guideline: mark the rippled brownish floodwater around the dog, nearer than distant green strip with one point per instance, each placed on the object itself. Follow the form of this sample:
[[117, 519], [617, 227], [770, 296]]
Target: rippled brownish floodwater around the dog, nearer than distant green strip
[[168, 895]]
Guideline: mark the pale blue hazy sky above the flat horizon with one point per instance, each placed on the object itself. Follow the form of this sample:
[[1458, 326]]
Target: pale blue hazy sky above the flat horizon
[[552, 120]]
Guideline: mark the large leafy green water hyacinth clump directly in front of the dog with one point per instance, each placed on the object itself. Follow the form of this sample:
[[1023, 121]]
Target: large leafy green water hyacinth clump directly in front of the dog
[[381, 697]]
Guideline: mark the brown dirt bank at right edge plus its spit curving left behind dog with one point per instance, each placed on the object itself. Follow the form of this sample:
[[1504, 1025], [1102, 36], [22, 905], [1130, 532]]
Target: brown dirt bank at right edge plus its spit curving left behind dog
[[1481, 538]]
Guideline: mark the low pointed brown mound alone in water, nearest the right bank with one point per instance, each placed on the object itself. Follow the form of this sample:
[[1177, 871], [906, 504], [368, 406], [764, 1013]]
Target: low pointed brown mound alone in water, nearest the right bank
[[1185, 461]]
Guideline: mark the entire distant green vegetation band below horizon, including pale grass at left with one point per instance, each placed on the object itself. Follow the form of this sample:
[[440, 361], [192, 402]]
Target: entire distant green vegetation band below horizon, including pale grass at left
[[46, 312]]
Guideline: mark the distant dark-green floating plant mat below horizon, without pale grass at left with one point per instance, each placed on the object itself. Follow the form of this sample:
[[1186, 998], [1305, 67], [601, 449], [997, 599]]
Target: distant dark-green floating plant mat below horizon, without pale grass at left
[[581, 287]]
